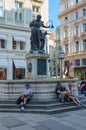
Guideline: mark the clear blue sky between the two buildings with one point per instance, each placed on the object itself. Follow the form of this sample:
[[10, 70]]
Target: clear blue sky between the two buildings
[[53, 13]]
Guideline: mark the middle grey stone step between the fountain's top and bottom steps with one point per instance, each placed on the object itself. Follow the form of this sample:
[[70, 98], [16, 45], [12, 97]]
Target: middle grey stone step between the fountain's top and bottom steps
[[40, 106]]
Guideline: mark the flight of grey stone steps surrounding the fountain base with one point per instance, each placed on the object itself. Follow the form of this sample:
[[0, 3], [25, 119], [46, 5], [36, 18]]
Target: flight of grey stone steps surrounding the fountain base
[[41, 106]]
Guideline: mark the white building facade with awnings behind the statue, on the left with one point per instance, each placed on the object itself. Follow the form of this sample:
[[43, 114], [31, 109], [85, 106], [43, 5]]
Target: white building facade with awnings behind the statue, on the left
[[15, 17]]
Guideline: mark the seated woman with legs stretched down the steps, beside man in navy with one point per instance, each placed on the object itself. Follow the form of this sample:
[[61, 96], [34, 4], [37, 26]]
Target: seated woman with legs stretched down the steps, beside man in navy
[[72, 97]]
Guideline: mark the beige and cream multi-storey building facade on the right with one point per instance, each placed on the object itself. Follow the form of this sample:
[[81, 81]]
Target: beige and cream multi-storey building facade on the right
[[73, 36]]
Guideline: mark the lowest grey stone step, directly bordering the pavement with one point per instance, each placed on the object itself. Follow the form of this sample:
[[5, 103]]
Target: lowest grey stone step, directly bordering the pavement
[[44, 111]]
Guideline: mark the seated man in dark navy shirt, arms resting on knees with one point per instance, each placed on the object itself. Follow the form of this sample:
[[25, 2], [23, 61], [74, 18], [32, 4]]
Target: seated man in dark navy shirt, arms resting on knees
[[62, 92]]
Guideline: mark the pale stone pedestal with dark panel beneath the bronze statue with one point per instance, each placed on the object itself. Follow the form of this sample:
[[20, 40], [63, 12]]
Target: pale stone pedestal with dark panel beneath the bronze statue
[[37, 65]]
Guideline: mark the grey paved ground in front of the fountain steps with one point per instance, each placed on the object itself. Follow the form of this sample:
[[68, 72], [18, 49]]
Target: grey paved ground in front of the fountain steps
[[75, 120]]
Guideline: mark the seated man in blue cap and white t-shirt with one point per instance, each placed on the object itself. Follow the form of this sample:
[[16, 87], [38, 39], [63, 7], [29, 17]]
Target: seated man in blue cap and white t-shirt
[[27, 93]]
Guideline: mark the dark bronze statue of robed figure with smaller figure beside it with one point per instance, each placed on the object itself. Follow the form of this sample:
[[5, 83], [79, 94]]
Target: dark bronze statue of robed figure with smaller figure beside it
[[36, 34]]
